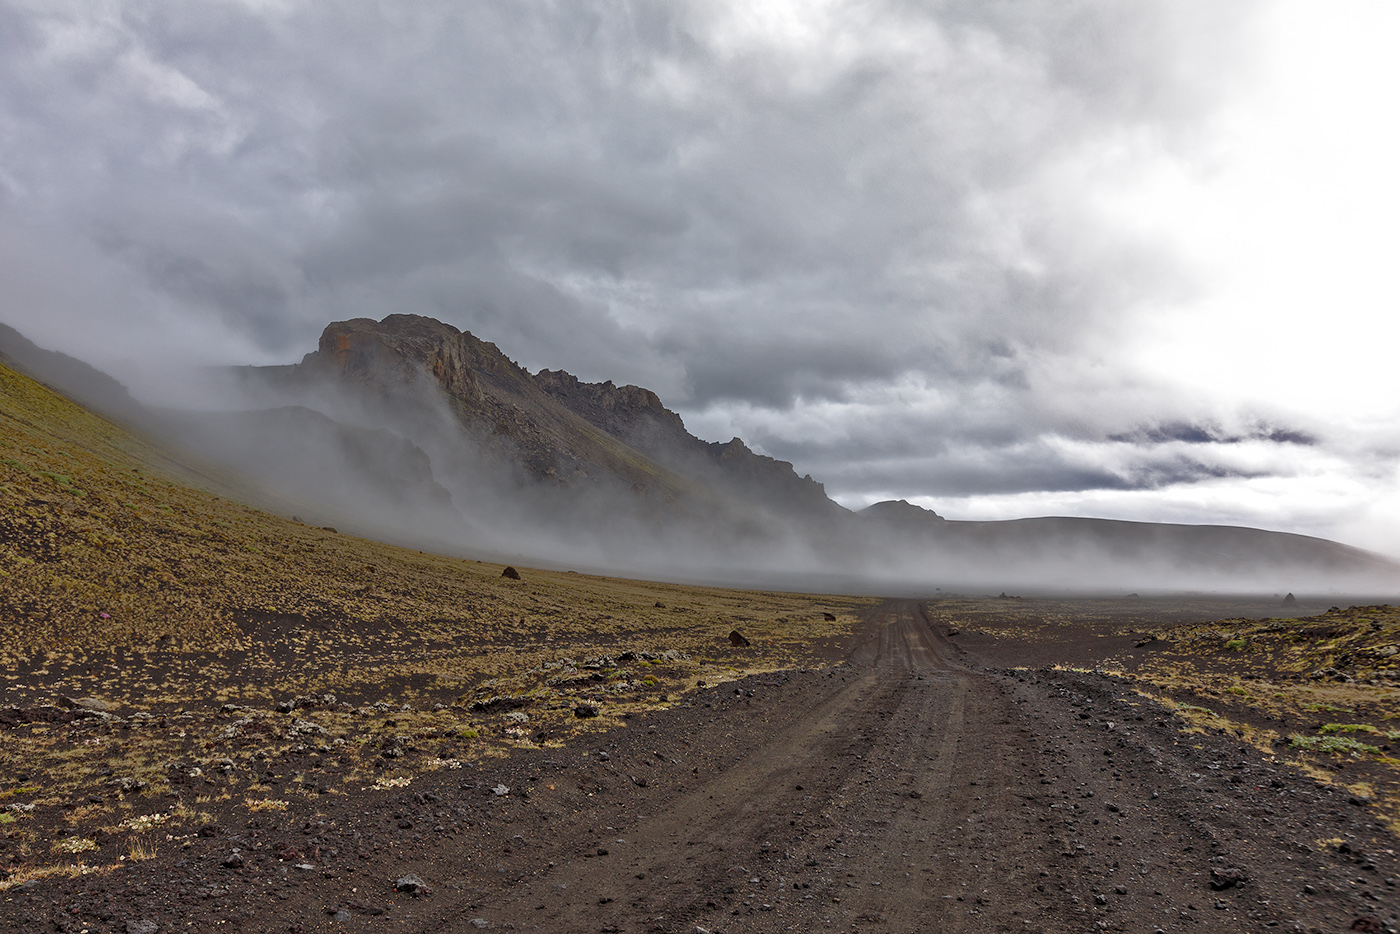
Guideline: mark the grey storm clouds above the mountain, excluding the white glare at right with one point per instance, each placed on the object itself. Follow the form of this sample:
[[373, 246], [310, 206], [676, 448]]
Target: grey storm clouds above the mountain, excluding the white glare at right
[[759, 212]]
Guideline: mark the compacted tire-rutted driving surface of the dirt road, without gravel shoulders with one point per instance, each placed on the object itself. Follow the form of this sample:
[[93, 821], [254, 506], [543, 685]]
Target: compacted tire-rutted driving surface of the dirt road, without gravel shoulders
[[860, 810]]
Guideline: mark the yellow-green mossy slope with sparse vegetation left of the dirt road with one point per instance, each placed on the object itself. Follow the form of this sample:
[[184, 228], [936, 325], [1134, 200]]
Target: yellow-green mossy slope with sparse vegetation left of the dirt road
[[192, 617]]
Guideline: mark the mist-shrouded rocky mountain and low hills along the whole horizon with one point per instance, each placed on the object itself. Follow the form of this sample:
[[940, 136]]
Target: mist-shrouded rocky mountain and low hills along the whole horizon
[[415, 432]]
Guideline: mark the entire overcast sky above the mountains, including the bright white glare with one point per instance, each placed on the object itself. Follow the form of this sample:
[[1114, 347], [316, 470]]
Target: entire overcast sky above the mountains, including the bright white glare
[[1002, 260]]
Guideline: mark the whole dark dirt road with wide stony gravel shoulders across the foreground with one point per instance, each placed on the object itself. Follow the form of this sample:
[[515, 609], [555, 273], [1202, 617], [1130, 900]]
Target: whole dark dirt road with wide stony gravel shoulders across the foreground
[[912, 789]]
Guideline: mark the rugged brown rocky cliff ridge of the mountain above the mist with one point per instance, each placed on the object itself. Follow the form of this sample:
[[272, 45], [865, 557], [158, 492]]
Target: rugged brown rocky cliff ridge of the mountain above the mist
[[551, 425]]
